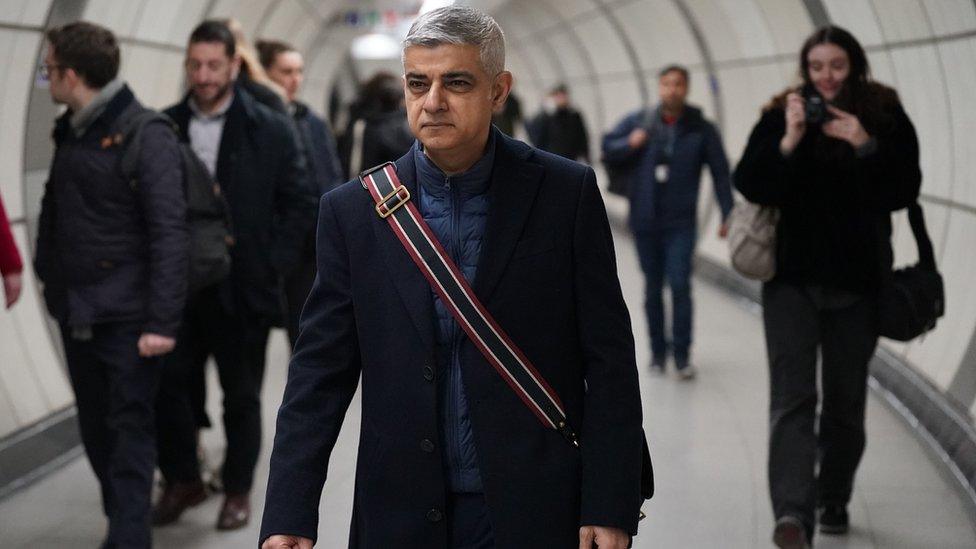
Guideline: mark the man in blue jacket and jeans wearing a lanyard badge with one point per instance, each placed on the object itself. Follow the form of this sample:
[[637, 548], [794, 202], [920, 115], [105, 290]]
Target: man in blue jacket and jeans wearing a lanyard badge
[[670, 153]]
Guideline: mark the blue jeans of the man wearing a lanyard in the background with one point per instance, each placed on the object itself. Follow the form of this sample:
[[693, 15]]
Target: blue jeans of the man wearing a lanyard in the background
[[666, 255]]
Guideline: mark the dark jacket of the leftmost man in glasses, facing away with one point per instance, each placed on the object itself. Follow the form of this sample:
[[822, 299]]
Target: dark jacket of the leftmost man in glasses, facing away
[[107, 252]]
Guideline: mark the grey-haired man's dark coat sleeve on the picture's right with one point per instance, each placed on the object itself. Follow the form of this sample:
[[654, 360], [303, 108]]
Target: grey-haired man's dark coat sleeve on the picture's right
[[611, 433]]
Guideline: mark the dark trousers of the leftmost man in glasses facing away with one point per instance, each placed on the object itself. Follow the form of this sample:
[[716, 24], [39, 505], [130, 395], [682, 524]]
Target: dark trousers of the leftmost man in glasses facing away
[[114, 391]]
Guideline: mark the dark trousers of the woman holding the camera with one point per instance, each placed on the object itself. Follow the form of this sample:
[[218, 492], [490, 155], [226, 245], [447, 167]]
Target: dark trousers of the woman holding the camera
[[799, 321]]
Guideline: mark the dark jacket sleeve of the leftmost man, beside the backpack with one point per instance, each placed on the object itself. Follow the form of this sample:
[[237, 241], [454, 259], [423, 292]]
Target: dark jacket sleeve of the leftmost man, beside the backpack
[[163, 204]]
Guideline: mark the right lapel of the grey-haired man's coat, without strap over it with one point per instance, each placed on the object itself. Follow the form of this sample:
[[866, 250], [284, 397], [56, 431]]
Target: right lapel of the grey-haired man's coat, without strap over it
[[514, 186]]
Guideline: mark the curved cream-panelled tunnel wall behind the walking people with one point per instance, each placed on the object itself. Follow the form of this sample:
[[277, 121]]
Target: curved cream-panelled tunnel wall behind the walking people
[[740, 52]]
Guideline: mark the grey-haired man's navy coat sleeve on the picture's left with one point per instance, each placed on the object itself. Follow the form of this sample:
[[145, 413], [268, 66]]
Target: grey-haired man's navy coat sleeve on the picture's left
[[322, 379]]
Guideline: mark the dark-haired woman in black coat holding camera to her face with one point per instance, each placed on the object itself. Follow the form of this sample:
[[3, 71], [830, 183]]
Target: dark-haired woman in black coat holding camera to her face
[[835, 156]]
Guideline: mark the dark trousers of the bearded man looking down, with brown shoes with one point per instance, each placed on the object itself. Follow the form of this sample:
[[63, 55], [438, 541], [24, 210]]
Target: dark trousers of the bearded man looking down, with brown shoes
[[238, 344]]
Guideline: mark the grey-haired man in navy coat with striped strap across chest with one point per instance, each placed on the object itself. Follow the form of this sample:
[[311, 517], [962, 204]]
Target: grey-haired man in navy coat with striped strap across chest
[[459, 448]]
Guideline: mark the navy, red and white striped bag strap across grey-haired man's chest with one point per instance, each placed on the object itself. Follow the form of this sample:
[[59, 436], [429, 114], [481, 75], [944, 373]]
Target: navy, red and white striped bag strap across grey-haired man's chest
[[393, 203]]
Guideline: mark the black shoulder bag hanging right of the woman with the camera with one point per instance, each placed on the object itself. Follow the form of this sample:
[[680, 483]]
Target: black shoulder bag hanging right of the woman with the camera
[[912, 299]]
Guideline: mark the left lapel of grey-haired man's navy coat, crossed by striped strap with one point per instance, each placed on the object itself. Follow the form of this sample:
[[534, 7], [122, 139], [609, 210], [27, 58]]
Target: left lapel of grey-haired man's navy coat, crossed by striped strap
[[413, 288]]
